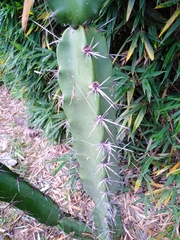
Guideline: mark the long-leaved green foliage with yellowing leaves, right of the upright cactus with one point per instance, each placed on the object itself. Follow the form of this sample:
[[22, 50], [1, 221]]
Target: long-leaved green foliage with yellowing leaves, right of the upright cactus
[[145, 51]]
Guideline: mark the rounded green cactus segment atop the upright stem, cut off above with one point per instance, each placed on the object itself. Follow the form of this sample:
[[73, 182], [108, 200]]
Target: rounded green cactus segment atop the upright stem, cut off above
[[75, 12]]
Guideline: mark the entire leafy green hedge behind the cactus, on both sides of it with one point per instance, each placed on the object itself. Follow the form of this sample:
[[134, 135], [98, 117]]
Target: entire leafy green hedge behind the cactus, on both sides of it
[[144, 44]]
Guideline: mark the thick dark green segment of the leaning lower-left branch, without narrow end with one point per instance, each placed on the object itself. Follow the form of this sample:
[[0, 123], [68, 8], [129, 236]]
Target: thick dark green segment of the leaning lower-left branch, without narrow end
[[20, 194]]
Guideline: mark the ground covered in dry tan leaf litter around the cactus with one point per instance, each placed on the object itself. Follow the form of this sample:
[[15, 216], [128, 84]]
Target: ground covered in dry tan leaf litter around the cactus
[[25, 151]]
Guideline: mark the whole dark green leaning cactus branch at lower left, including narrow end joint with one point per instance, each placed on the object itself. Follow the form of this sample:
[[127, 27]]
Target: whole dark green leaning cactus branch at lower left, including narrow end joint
[[22, 195]]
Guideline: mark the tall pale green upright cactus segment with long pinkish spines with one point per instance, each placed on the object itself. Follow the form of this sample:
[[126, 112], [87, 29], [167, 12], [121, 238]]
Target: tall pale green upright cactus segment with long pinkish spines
[[86, 83]]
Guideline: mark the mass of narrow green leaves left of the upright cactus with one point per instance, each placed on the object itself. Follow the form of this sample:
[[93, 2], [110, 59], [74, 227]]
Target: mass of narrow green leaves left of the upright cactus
[[29, 65]]
